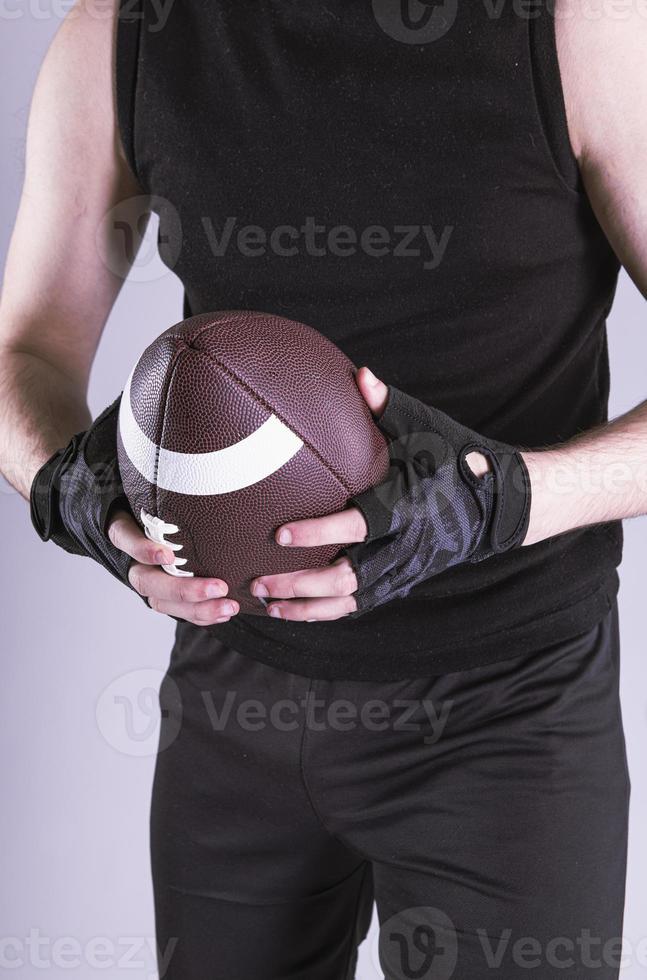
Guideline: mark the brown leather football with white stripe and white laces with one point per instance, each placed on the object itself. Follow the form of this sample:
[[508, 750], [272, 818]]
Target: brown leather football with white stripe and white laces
[[233, 423]]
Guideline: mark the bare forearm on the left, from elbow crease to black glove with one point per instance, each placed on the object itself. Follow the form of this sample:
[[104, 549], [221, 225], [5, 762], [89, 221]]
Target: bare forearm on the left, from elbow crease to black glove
[[40, 409]]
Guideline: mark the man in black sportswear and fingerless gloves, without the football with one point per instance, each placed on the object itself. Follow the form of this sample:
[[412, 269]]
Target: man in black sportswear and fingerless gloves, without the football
[[486, 136]]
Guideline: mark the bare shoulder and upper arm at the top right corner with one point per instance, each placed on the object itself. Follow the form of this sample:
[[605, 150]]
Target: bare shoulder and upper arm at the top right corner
[[602, 51]]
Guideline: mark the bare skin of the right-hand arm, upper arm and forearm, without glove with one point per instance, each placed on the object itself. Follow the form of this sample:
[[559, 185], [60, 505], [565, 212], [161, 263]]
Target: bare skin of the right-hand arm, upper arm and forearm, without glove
[[602, 475]]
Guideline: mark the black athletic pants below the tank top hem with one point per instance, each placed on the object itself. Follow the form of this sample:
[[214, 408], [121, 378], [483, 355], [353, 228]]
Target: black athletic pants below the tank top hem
[[484, 810]]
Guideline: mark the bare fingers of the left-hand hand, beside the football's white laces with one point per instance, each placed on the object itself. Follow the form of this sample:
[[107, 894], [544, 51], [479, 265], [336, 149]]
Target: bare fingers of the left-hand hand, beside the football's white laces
[[198, 600]]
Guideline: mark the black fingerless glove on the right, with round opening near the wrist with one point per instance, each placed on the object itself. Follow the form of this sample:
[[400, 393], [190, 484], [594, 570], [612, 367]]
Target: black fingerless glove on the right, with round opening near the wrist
[[431, 511]]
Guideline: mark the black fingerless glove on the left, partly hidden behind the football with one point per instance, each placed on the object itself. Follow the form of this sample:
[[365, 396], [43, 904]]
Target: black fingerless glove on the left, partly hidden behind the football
[[75, 493]]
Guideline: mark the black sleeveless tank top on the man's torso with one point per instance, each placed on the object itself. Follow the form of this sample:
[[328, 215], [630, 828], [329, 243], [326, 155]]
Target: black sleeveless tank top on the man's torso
[[399, 176]]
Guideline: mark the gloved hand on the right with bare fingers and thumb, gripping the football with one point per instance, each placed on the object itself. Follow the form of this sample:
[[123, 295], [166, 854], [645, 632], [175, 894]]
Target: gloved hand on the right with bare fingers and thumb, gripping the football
[[426, 516]]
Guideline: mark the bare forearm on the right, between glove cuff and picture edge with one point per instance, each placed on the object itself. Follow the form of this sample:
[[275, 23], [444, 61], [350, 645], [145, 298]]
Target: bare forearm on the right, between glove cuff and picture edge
[[596, 477]]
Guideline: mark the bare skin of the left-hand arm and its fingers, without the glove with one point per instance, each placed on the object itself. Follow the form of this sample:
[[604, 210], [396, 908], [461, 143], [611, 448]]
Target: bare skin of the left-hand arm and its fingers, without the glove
[[58, 290]]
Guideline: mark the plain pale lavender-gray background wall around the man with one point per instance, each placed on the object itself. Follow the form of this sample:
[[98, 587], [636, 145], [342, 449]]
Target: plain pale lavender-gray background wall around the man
[[81, 658]]
